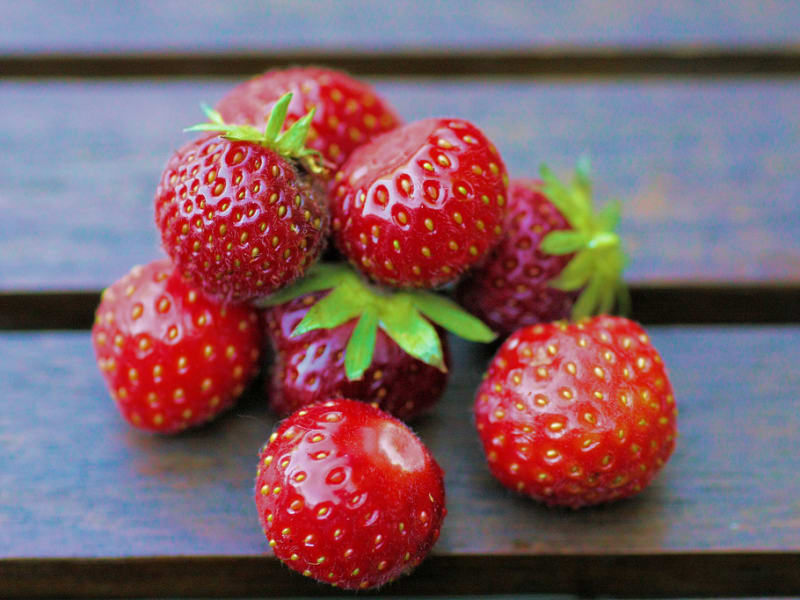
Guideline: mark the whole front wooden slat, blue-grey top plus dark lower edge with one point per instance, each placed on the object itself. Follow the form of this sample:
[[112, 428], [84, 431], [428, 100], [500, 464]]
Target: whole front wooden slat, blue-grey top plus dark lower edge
[[84, 499]]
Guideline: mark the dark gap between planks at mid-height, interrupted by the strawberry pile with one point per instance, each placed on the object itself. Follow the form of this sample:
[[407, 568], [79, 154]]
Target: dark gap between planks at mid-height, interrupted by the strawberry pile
[[655, 304]]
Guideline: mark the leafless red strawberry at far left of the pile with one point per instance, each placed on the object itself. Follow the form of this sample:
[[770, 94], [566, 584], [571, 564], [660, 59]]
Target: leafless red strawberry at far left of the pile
[[172, 358]]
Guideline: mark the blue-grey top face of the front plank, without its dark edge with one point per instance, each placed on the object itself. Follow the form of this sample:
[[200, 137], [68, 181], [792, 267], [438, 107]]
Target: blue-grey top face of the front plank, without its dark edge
[[75, 481]]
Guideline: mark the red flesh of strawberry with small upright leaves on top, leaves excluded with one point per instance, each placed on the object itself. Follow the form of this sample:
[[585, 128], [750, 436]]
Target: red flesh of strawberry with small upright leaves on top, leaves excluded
[[238, 218]]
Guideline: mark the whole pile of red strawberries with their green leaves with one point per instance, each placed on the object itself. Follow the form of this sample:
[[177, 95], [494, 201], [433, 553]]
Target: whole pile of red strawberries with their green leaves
[[296, 161]]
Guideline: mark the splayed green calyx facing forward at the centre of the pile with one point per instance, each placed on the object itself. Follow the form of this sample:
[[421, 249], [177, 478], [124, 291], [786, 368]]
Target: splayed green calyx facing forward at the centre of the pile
[[405, 316]]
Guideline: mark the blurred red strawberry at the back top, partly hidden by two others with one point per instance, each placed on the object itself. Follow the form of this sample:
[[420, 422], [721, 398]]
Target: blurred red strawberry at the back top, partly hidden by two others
[[348, 112]]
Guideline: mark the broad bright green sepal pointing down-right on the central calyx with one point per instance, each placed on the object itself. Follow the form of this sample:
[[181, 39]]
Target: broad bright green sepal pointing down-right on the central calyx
[[413, 333]]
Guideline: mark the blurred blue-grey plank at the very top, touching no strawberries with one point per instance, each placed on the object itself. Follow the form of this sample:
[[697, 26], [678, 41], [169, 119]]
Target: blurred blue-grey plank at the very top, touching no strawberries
[[189, 26]]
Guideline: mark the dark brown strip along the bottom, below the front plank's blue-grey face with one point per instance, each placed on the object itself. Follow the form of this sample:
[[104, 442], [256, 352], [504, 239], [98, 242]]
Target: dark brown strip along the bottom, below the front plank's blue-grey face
[[668, 574]]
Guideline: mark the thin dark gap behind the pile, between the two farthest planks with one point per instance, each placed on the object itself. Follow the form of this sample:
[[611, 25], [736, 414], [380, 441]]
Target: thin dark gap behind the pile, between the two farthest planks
[[674, 62]]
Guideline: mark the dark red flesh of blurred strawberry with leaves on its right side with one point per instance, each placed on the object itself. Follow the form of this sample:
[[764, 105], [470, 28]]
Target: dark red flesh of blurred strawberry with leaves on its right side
[[511, 288]]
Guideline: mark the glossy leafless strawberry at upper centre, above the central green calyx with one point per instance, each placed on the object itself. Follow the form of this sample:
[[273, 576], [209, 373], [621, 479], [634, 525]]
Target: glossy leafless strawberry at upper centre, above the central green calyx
[[417, 206]]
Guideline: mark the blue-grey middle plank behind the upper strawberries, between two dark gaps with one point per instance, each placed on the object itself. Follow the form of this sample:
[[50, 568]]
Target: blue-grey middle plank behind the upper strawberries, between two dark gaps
[[709, 170]]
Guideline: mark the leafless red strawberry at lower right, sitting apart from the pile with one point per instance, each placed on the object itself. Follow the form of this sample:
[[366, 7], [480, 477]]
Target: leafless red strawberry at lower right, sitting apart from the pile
[[577, 414]]
